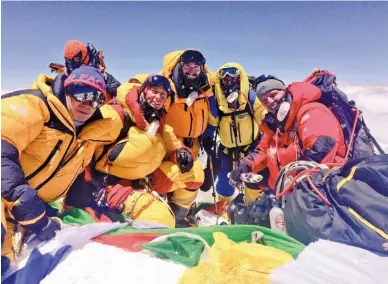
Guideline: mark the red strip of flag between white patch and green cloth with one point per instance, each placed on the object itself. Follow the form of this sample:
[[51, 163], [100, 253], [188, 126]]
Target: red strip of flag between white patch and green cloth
[[130, 242]]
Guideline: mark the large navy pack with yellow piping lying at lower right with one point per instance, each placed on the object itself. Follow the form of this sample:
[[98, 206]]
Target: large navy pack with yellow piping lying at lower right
[[355, 212]]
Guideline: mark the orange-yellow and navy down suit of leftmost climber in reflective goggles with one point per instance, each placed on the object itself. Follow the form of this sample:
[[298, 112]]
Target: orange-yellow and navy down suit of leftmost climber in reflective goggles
[[41, 152]]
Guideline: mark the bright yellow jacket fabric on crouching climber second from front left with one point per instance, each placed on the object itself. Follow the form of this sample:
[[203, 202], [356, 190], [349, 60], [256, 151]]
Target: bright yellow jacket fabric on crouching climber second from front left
[[141, 154]]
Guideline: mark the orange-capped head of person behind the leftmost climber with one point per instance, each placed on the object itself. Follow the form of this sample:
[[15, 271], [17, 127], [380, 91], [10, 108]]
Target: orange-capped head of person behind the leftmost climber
[[76, 55]]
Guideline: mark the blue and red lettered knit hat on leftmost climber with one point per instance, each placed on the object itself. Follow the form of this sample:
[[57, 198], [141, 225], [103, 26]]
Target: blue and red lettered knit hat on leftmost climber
[[86, 75]]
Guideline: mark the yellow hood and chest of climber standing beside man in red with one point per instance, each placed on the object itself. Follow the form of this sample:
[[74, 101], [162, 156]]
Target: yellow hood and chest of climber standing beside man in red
[[244, 120]]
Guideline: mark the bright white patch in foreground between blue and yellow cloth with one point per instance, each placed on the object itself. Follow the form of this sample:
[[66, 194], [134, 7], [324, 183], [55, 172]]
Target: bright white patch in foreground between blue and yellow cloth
[[100, 263]]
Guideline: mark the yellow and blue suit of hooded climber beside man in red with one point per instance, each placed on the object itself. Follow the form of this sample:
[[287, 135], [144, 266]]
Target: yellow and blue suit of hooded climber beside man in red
[[222, 117]]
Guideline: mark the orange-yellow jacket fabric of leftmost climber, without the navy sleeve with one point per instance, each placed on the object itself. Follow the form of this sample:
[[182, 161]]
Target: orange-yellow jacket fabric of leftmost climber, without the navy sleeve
[[23, 119]]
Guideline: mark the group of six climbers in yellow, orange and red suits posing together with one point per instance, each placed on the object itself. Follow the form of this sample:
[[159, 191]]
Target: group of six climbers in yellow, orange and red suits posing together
[[84, 137]]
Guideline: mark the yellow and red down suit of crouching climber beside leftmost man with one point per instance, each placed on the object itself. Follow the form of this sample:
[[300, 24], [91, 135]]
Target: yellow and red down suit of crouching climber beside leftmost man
[[152, 156]]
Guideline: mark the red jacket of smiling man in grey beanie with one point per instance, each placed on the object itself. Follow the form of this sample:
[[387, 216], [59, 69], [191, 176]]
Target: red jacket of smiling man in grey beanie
[[307, 120]]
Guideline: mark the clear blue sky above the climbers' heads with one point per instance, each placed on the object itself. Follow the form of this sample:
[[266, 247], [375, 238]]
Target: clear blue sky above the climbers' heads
[[287, 39]]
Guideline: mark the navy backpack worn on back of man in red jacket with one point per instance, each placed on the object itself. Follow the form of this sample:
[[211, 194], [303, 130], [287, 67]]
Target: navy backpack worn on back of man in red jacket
[[356, 133]]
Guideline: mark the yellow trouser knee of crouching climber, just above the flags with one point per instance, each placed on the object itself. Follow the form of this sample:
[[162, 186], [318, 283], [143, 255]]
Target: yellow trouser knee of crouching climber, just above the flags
[[144, 206]]
